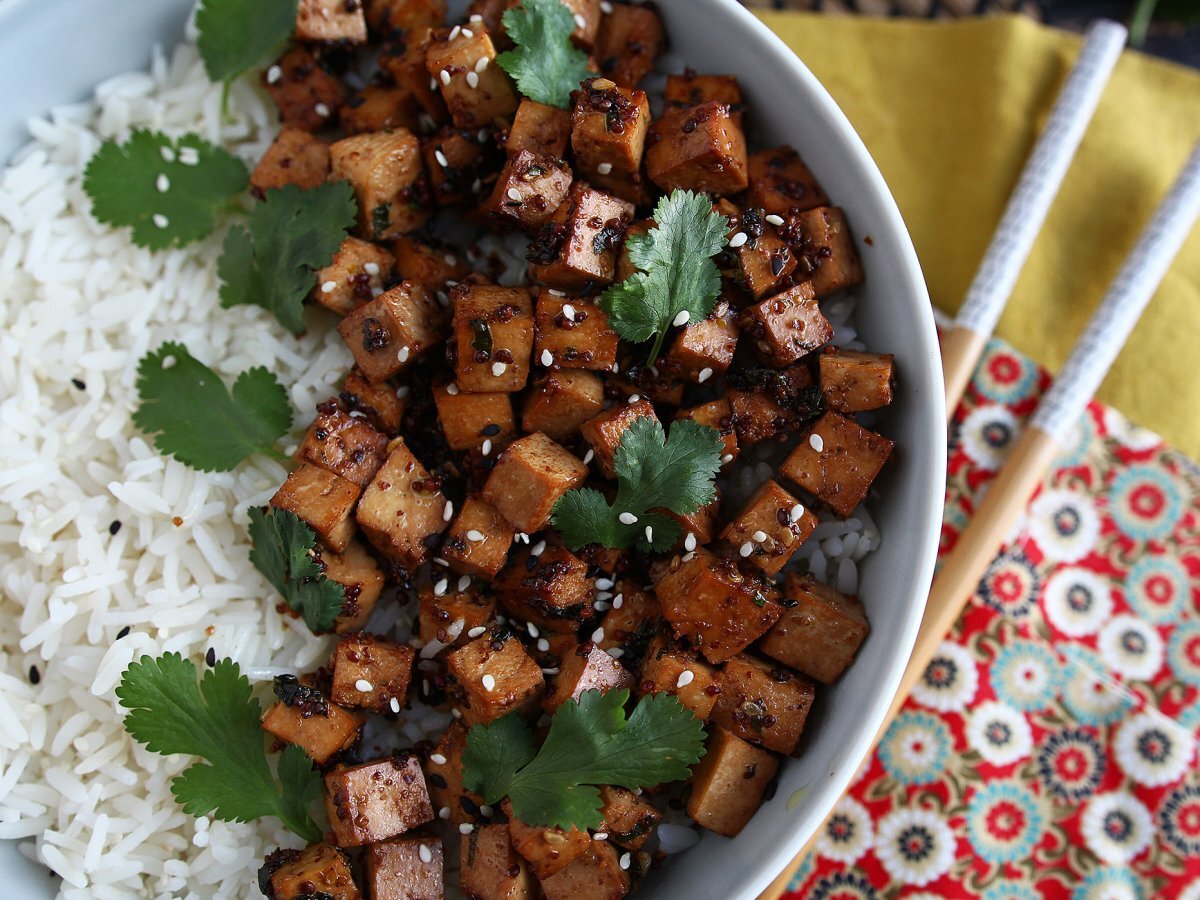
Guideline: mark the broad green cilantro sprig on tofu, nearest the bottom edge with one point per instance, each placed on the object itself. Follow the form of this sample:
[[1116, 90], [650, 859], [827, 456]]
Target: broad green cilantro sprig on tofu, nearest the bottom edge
[[590, 743]]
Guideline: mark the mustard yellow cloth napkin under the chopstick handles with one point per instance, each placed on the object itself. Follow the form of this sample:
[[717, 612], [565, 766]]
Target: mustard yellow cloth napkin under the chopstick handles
[[951, 111]]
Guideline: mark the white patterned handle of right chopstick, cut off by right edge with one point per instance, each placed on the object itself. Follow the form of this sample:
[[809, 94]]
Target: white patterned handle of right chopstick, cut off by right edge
[[1123, 305]]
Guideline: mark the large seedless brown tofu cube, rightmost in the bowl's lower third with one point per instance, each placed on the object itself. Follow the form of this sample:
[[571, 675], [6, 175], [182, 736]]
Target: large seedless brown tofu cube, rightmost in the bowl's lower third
[[819, 635]]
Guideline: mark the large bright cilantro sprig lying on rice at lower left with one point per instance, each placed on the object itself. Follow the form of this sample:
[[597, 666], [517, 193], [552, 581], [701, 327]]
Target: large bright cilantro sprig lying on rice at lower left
[[220, 722]]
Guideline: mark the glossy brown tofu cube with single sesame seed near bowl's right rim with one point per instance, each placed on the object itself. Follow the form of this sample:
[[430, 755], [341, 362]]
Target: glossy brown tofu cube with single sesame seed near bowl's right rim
[[838, 463]]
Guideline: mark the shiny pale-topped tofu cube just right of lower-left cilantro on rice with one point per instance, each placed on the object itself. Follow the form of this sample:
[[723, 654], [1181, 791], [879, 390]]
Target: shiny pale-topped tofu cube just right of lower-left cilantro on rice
[[376, 801]]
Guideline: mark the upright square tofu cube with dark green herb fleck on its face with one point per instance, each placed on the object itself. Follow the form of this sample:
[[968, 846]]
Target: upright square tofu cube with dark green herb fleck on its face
[[494, 337]]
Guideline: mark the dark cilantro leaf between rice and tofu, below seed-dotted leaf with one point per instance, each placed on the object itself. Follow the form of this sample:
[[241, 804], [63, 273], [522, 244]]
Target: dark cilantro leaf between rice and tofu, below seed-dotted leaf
[[292, 235]]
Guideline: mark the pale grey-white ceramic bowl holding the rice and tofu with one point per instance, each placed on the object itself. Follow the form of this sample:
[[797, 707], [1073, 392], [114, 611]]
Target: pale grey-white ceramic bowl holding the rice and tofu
[[56, 51]]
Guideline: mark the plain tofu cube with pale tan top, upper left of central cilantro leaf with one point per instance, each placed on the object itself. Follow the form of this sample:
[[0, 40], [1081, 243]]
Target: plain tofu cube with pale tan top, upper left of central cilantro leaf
[[530, 478]]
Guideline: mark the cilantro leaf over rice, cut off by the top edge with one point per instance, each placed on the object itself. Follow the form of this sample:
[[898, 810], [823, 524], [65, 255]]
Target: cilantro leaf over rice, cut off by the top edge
[[236, 35]]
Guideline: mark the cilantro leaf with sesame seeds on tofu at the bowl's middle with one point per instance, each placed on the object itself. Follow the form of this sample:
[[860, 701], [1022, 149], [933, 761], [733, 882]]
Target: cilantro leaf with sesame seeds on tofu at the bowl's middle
[[653, 472]]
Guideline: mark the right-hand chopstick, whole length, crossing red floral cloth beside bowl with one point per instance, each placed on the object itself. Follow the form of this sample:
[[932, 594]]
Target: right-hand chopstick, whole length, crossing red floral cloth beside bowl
[[1049, 428]]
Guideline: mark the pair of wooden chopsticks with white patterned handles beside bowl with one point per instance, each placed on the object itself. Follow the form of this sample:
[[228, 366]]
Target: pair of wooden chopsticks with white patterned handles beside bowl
[[1067, 400]]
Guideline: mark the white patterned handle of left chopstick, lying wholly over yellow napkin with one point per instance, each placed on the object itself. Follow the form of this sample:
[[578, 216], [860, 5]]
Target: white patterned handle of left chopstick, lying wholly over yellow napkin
[[1041, 179]]
